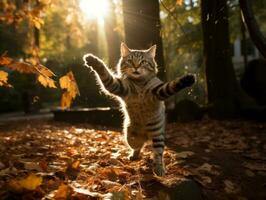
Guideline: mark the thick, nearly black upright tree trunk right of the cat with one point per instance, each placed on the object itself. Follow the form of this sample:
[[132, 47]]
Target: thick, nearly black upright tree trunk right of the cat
[[221, 81]]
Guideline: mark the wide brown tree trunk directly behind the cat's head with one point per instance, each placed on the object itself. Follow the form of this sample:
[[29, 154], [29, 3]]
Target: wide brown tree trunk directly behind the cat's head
[[142, 27]]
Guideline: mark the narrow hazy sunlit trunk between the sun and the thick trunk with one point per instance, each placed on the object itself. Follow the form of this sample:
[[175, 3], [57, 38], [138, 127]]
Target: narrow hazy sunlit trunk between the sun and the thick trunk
[[112, 37]]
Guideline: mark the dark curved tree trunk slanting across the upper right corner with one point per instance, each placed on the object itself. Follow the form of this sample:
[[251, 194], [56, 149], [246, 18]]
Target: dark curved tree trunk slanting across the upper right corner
[[252, 26]]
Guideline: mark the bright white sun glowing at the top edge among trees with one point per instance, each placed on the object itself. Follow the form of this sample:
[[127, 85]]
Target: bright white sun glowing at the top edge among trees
[[94, 9]]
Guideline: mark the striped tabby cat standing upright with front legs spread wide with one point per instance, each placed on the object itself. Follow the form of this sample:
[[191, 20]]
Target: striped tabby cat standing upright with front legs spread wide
[[142, 96]]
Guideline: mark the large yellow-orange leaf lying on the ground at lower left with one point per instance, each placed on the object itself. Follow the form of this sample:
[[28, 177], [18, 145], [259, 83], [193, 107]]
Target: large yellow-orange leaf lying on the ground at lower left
[[29, 183]]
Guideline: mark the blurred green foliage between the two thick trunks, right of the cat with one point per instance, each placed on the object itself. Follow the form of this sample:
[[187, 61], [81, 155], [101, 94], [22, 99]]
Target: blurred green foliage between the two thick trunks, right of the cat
[[182, 40]]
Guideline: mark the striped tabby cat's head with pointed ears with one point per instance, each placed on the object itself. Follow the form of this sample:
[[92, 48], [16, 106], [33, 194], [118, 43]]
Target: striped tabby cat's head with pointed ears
[[138, 64]]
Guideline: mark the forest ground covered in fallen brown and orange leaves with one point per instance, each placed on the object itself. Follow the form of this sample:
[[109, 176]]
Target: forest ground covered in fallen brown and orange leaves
[[49, 160]]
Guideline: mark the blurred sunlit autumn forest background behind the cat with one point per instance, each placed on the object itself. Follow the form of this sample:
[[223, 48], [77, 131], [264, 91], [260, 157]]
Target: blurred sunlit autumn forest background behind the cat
[[57, 33]]
